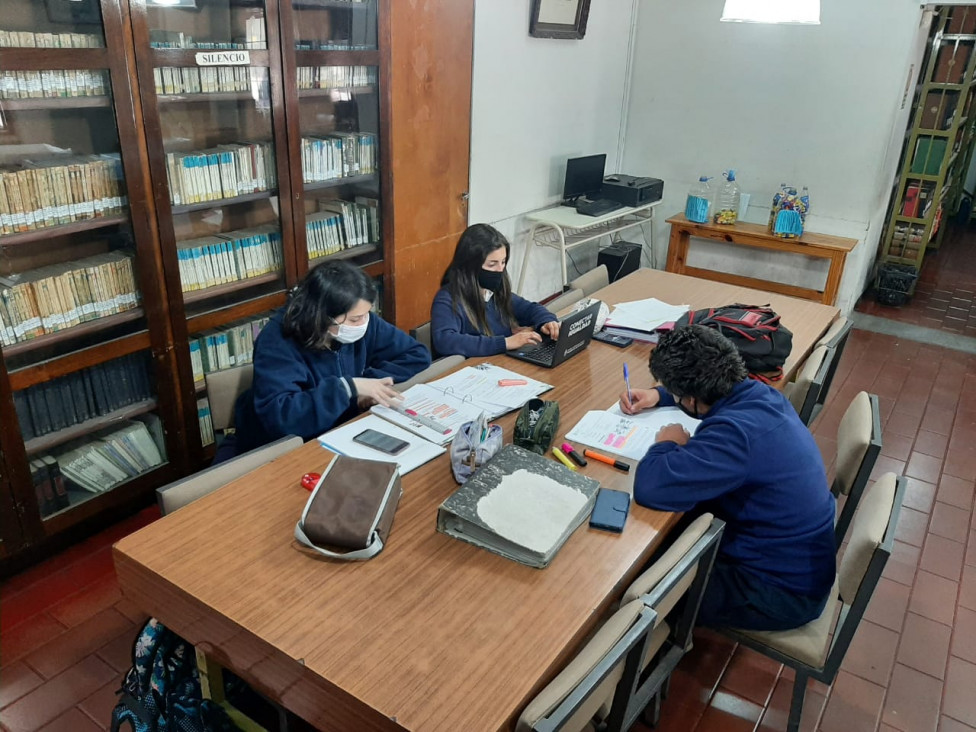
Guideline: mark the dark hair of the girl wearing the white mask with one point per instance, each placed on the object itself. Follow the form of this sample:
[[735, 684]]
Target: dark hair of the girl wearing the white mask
[[327, 292]]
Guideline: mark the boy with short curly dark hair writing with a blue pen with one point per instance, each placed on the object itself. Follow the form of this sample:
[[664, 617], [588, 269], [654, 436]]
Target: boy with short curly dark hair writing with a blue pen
[[753, 464]]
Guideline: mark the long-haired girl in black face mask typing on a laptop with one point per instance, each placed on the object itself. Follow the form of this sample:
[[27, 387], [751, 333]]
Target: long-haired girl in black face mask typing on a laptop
[[475, 313]]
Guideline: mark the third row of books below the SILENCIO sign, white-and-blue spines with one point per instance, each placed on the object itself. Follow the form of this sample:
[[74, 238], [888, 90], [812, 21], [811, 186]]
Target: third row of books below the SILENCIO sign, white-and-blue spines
[[229, 257]]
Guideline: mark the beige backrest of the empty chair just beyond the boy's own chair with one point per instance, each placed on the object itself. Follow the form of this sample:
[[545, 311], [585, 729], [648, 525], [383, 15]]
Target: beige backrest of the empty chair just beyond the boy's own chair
[[858, 447]]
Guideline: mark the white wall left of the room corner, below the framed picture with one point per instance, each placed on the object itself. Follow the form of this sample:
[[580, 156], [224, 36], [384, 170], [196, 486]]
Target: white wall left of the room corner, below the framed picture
[[537, 102]]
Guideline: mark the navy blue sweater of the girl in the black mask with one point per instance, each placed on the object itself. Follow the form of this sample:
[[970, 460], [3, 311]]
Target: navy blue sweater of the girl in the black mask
[[451, 332]]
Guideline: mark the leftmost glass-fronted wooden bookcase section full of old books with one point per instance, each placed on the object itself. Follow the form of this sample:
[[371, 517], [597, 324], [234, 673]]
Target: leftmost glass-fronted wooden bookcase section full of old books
[[80, 288]]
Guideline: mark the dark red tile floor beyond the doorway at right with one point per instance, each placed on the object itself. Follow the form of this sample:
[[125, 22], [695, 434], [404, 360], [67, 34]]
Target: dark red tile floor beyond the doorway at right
[[945, 295]]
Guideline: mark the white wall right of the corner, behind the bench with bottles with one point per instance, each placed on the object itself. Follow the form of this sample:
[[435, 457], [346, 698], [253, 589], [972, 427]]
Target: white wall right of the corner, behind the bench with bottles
[[819, 106]]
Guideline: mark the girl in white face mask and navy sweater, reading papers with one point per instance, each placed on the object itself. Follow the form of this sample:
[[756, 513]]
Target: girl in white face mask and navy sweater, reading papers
[[322, 359]]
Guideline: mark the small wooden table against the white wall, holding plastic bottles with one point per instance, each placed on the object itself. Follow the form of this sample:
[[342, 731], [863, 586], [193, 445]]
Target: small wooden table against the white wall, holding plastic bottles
[[821, 246]]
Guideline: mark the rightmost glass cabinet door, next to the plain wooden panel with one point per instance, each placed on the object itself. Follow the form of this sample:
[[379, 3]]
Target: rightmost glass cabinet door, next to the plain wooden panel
[[335, 121]]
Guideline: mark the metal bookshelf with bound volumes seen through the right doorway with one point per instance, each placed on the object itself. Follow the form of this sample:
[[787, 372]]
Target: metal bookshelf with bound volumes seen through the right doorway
[[938, 144]]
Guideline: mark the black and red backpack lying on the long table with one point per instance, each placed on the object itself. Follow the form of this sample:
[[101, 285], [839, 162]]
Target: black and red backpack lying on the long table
[[761, 339]]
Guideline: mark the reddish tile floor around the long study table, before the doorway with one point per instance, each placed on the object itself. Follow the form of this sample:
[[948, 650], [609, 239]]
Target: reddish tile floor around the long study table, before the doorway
[[66, 632]]
